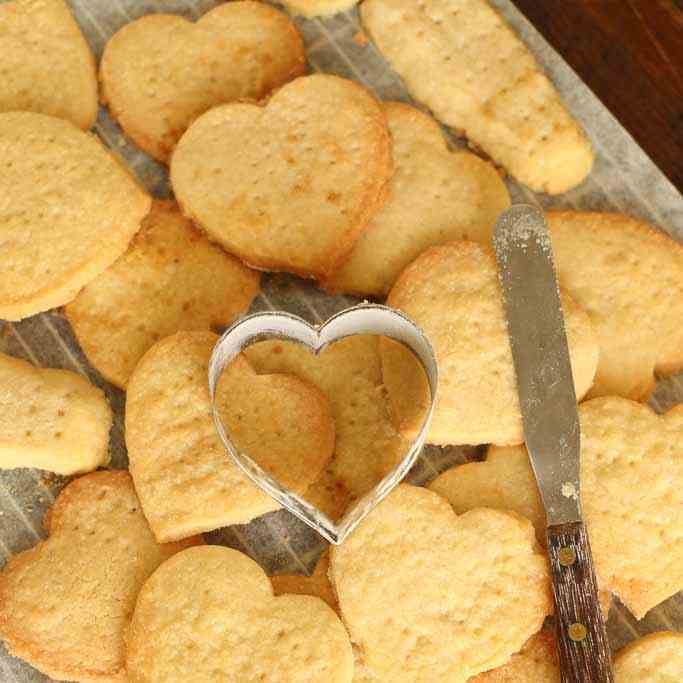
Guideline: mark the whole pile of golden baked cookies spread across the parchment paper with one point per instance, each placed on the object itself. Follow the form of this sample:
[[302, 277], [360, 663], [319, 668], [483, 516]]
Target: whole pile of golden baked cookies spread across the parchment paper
[[274, 169]]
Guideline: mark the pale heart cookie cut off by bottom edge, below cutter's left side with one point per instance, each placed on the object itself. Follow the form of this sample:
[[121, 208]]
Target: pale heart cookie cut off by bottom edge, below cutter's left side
[[209, 614]]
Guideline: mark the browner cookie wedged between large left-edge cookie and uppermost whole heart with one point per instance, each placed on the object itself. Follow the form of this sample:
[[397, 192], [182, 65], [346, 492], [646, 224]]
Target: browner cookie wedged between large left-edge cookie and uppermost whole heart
[[171, 278]]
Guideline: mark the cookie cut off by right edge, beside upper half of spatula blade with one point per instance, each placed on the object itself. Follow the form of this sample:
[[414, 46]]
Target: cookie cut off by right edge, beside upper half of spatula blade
[[628, 276]]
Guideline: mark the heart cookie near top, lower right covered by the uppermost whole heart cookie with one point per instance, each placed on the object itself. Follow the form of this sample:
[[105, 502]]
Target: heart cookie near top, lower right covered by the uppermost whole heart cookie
[[161, 72]]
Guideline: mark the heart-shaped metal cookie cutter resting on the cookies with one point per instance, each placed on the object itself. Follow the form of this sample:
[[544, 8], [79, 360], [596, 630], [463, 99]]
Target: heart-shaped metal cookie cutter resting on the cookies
[[364, 319]]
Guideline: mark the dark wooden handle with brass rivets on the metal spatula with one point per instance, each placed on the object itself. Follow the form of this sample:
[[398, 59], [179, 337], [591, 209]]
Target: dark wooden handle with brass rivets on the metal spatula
[[581, 636]]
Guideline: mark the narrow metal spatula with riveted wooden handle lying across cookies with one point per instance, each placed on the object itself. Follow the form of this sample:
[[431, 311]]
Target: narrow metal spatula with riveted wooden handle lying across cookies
[[535, 323]]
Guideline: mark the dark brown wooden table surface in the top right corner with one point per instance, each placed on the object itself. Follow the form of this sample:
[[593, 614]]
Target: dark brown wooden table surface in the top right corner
[[630, 53]]
